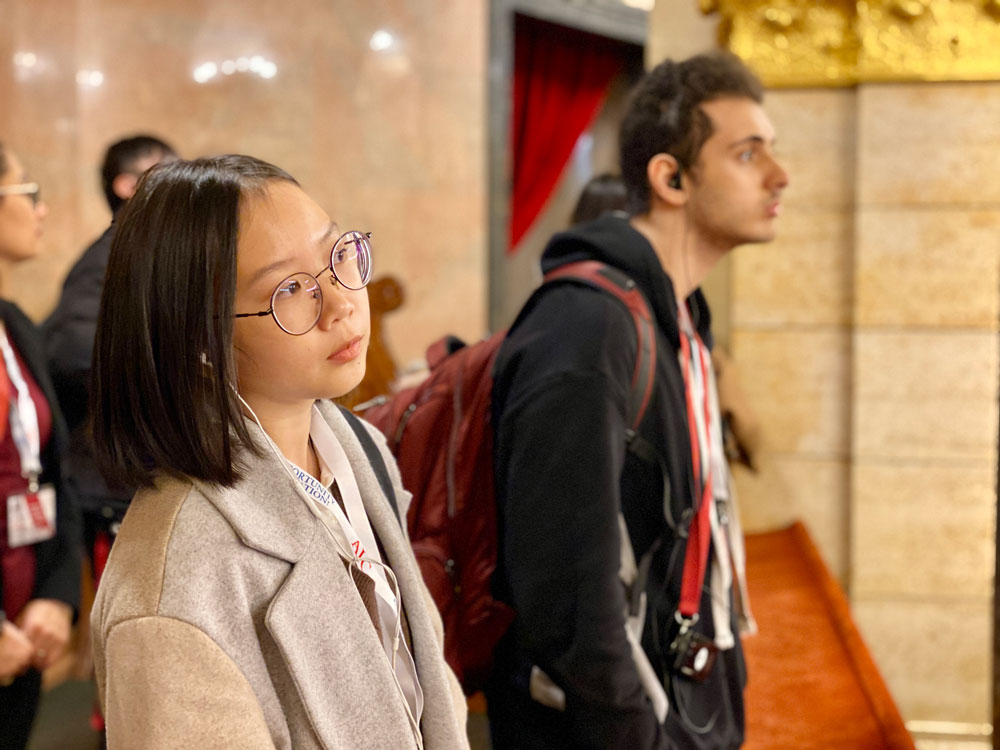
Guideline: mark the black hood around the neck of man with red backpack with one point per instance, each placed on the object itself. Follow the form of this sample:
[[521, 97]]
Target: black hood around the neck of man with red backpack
[[613, 240]]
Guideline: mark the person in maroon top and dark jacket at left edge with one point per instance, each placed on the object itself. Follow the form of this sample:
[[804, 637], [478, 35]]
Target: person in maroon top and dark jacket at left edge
[[39, 522]]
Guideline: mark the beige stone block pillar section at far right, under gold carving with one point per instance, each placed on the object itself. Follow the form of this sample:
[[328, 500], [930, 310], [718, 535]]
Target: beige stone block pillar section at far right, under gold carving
[[924, 413]]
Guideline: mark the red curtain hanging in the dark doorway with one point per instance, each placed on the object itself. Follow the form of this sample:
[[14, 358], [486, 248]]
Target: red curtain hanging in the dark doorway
[[560, 78]]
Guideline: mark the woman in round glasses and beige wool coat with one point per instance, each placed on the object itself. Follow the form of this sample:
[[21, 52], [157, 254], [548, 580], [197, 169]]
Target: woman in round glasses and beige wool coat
[[261, 592]]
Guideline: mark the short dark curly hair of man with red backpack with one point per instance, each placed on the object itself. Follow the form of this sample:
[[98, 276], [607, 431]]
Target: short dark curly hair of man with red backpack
[[664, 114]]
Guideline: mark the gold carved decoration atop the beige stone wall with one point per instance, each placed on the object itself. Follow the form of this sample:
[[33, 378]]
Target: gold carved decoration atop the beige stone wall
[[842, 42]]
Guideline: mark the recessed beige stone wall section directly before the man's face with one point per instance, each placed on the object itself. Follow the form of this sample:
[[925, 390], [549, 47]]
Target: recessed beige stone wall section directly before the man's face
[[791, 328]]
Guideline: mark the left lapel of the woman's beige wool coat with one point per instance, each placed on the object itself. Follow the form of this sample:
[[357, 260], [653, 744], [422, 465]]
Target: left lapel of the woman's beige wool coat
[[317, 620]]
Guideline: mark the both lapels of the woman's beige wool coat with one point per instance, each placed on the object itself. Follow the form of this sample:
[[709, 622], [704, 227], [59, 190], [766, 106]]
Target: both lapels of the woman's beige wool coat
[[317, 619]]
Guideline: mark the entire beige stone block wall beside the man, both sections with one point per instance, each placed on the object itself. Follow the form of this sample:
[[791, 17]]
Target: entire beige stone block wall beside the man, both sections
[[867, 340]]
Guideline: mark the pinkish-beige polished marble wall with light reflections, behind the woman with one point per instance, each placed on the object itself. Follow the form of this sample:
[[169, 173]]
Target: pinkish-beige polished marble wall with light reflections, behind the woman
[[387, 132]]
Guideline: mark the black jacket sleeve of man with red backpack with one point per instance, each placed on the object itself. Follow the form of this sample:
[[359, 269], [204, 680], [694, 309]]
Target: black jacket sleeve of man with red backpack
[[560, 449]]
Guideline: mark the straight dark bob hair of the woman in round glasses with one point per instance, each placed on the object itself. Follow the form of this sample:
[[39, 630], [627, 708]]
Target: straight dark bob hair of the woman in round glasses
[[162, 385]]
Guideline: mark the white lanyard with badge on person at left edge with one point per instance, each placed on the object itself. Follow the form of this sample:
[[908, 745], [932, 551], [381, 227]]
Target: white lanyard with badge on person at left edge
[[31, 517]]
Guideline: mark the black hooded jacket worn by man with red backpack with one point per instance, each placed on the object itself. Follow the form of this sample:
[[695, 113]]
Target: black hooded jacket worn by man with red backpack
[[562, 474]]
